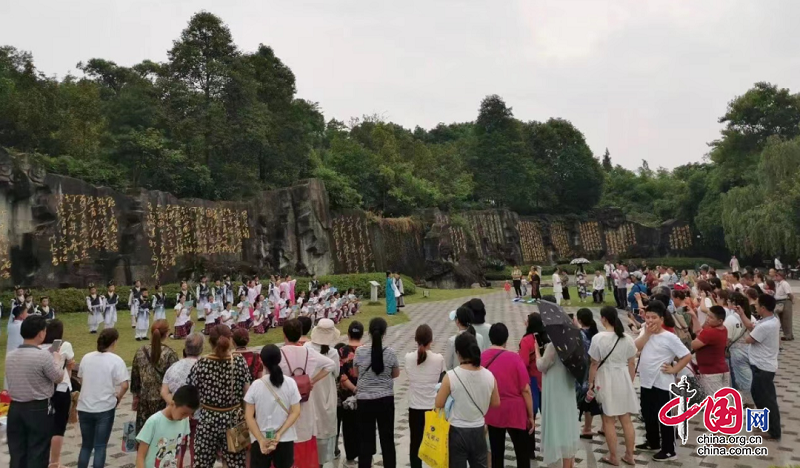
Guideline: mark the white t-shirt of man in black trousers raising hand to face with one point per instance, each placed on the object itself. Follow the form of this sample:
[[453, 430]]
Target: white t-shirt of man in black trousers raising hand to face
[[661, 348]]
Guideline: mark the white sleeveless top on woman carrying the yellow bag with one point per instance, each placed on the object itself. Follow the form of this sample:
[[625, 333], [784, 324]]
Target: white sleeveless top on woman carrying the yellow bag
[[479, 386]]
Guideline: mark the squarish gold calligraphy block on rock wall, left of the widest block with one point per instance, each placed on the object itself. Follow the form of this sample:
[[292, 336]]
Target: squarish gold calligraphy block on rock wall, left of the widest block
[[84, 224]]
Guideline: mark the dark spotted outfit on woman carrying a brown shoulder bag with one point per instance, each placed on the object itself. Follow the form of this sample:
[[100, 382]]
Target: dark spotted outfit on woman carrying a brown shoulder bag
[[221, 383]]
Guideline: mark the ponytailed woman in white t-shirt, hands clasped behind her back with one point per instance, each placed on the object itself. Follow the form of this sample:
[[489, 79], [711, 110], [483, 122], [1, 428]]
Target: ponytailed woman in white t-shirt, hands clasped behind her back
[[272, 406]]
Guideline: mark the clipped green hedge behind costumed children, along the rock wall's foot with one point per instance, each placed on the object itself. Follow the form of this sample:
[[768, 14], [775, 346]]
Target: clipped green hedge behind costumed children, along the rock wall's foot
[[68, 300]]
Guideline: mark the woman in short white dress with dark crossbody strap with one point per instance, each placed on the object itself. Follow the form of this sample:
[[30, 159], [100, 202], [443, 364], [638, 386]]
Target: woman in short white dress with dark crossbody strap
[[611, 377]]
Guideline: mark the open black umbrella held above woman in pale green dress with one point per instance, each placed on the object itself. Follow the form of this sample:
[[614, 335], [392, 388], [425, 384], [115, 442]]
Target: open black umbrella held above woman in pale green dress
[[566, 337]]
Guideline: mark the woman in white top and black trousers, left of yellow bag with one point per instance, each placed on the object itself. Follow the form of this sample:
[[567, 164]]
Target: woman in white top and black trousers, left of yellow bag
[[424, 368]]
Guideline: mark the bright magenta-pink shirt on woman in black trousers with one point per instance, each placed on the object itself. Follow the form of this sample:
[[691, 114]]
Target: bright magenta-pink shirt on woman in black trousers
[[512, 377]]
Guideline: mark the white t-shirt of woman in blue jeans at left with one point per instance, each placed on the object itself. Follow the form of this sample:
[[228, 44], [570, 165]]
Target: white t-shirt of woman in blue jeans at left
[[101, 374]]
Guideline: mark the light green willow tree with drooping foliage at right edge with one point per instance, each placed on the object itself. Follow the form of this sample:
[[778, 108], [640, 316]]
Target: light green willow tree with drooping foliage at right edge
[[764, 217]]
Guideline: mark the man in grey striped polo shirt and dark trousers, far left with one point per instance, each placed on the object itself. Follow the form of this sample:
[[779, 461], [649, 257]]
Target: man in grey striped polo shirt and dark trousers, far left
[[32, 376]]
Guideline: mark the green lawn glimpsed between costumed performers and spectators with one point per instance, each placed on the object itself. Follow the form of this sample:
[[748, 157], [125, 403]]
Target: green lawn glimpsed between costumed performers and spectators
[[76, 330]]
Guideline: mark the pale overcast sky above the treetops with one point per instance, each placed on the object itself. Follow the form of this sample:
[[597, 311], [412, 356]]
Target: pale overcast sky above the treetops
[[646, 79]]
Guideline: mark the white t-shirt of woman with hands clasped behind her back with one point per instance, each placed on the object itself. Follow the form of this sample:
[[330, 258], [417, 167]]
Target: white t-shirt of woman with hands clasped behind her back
[[269, 413]]
